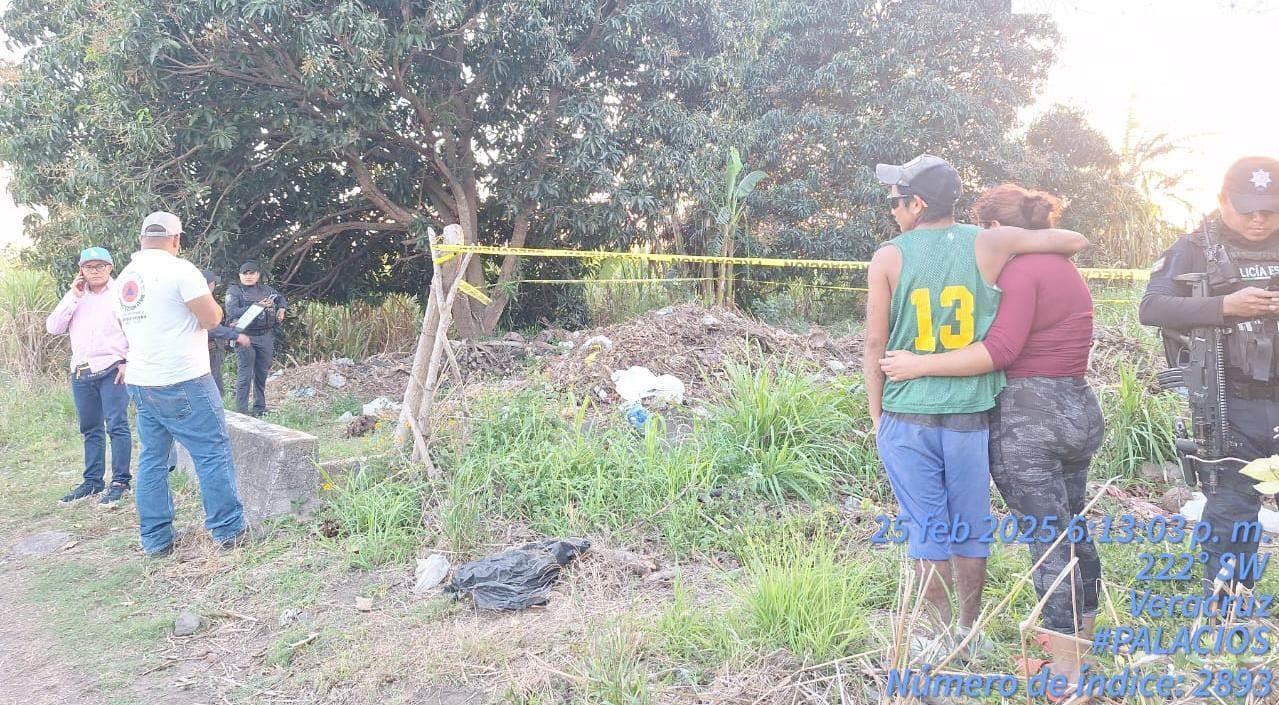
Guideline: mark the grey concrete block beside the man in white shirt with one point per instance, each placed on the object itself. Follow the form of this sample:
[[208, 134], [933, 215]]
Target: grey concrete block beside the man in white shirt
[[276, 468]]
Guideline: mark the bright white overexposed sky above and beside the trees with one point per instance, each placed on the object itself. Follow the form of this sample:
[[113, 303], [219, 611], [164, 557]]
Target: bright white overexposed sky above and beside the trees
[[1204, 72]]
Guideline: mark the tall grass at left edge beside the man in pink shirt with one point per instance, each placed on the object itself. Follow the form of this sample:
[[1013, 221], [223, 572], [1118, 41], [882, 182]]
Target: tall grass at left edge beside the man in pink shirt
[[26, 300]]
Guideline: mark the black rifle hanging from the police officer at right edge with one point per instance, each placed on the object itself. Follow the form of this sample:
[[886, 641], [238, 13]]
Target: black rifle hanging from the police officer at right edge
[[1198, 364]]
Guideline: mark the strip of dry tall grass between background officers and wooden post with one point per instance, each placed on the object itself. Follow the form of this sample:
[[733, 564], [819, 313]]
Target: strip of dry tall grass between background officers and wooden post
[[357, 329]]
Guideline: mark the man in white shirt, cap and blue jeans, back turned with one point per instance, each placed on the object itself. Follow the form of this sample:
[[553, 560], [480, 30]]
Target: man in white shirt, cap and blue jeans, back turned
[[166, 310]]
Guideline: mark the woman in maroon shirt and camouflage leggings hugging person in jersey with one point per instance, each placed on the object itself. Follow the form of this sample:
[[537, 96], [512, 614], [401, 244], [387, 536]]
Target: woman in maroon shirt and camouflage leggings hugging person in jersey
[[1047, 423]]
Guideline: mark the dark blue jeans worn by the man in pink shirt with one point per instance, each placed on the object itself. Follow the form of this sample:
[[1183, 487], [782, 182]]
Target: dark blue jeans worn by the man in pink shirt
[[103, 409]]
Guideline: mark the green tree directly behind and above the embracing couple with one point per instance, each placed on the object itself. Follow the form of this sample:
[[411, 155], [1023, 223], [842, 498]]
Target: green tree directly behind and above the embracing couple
[[827, 89]]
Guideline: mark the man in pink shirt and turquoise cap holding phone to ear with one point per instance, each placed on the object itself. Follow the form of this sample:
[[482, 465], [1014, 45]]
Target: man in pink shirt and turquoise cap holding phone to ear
[[99, 355]]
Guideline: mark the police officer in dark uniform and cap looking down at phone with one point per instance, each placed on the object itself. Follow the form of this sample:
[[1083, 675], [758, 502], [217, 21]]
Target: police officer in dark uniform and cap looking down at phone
[[1239, 249]]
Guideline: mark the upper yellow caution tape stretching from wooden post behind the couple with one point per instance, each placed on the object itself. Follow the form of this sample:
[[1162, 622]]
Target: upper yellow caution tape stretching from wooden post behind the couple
[[1089, 273]]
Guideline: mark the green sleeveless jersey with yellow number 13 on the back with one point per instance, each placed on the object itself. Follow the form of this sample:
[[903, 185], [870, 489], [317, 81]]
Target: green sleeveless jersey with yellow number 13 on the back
[[941, 304]]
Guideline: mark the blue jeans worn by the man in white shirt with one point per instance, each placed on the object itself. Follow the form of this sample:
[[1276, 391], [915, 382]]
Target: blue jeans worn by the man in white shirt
[[192, 414]]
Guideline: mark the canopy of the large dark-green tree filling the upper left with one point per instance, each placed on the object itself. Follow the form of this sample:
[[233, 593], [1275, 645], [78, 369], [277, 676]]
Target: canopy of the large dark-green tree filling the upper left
[[328, 135]]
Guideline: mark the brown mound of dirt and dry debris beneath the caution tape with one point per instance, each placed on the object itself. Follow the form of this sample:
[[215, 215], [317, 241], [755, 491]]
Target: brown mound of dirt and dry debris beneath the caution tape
[[691, 344]]
